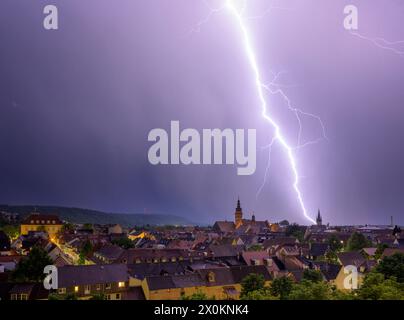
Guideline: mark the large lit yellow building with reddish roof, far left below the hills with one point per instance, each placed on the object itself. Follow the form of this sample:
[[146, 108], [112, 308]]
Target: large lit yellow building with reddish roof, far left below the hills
[[41, 222]]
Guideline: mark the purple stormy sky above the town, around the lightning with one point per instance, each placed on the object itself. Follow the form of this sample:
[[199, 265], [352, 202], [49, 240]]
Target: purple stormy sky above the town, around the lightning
[[77, 104]]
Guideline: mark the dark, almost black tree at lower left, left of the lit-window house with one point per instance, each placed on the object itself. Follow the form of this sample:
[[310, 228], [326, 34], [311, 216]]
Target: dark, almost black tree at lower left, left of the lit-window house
[[30, 269]]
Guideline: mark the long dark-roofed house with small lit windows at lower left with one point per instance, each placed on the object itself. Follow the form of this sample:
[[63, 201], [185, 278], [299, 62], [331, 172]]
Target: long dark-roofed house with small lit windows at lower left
[[112, 280]]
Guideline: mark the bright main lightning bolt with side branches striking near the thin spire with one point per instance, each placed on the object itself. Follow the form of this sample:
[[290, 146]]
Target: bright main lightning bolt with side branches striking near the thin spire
[[272, 88]]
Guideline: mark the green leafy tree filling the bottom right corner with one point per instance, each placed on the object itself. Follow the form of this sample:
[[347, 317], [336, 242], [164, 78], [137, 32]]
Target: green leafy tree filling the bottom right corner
[[376, 287]]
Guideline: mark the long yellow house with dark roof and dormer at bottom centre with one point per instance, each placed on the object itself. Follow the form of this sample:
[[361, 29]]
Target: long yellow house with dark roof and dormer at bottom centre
[[221, 283]]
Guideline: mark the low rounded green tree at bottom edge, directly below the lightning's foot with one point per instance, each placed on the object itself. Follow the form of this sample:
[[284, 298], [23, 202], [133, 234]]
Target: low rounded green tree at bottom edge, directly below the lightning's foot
[[308, 290]]
